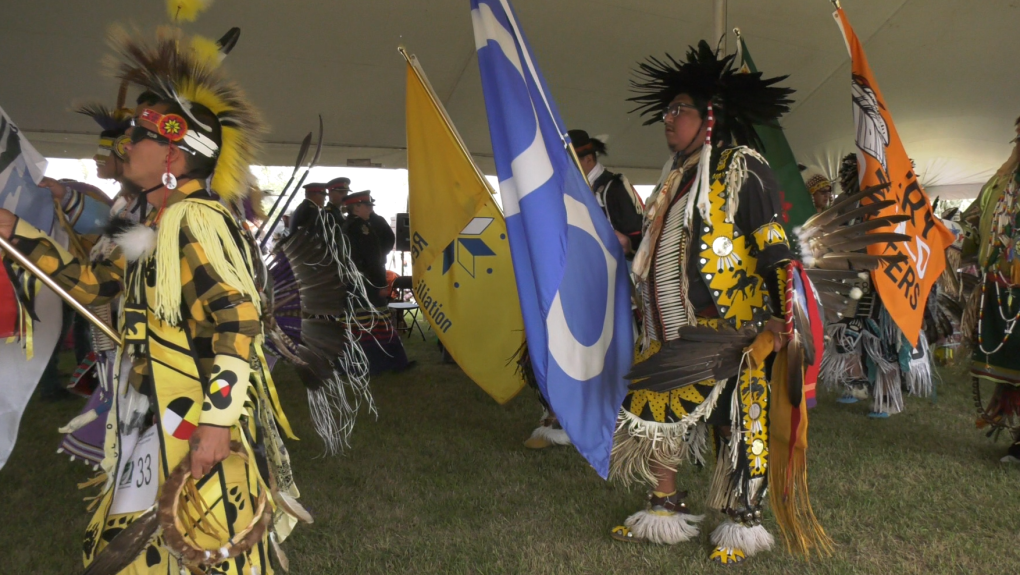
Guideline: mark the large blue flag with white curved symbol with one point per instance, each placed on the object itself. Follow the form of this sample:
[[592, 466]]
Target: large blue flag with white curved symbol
[[572, 275]]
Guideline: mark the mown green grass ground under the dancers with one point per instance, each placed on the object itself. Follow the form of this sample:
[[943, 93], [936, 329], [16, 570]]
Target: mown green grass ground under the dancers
[[441, 484]]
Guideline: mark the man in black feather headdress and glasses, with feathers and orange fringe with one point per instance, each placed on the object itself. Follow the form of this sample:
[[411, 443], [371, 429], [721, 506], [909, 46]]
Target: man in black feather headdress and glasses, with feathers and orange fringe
[[723, 292]]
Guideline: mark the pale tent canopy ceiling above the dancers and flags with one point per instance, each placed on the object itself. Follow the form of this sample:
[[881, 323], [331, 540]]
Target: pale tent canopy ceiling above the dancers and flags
[[944, 67]]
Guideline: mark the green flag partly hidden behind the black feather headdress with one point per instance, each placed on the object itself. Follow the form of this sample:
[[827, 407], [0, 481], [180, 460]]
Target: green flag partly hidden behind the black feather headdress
[[797, 203]]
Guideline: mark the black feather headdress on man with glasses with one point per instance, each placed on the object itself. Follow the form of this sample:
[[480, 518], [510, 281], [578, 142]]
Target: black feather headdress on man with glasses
[[740, 100]]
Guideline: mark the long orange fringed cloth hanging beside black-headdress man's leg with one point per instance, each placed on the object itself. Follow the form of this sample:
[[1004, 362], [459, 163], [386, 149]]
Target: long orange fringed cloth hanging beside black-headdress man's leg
[[788, 472]]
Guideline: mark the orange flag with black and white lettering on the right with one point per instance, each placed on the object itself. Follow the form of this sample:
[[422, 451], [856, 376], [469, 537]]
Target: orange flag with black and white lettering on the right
[[903, 286]]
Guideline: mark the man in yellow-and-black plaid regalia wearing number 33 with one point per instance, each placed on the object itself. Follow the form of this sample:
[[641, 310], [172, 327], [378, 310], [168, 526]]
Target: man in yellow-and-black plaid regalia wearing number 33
[[195, 410]]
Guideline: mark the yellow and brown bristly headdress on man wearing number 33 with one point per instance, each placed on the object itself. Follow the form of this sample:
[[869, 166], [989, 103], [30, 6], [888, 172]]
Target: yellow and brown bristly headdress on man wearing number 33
[[174, 72]]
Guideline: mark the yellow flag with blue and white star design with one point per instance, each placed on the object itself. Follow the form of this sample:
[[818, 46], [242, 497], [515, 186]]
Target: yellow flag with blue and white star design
[[462, 269]]
